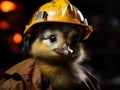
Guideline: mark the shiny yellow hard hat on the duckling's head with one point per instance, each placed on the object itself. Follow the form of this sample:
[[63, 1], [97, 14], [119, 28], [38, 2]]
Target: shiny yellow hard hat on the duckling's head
[[58, 11]]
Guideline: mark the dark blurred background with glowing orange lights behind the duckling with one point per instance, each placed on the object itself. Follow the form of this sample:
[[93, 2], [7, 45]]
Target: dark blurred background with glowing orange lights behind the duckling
[[103, 44]]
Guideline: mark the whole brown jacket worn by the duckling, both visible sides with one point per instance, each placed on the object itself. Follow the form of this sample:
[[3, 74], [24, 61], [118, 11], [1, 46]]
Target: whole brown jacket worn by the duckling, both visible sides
[[27, 76]]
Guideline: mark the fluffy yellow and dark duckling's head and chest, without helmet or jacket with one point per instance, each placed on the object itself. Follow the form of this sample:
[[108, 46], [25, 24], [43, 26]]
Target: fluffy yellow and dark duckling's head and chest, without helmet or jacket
[[58, 51]]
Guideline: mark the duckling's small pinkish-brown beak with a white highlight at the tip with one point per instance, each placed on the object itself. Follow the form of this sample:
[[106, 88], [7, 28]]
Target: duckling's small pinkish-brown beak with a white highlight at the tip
[[64, 50]]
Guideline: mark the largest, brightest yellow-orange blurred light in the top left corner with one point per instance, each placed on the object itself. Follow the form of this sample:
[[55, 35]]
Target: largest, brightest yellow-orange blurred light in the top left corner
[[7, 6]]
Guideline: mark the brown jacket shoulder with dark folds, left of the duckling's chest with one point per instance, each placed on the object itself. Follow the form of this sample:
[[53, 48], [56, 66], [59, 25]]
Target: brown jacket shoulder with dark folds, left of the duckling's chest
[[19, 76]]
